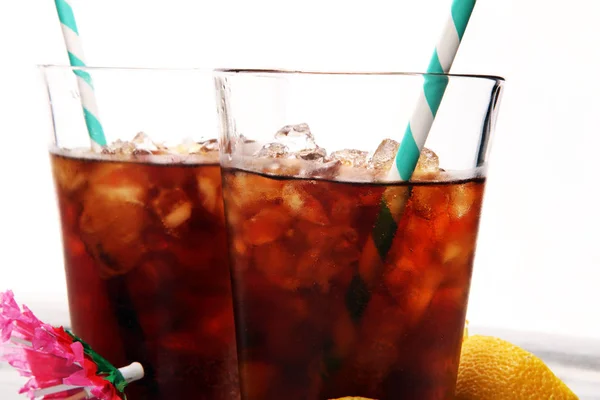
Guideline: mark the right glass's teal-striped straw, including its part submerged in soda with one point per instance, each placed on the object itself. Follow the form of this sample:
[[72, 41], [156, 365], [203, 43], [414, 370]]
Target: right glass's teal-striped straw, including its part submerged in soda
[[434, 87]]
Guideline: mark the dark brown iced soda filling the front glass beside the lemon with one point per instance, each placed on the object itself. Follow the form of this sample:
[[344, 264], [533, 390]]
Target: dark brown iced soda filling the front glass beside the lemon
[[314, 320]]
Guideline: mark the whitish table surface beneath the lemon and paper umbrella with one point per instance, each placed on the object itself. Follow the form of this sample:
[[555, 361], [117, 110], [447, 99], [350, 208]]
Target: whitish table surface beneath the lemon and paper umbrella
[[576, 361]]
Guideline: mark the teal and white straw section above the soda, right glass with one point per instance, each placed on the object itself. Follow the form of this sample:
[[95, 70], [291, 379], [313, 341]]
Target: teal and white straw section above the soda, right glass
[[433, 91]]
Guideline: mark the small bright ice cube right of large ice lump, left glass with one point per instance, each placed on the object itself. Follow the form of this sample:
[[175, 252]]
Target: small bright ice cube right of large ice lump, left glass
[[173, 207]]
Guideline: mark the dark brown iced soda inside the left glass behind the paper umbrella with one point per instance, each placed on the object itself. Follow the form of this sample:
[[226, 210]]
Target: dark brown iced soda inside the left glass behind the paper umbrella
[[147, 272]]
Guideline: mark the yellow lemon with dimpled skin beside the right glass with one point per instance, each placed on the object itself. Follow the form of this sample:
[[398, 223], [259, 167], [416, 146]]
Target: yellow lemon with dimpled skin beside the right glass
[[493, 369]]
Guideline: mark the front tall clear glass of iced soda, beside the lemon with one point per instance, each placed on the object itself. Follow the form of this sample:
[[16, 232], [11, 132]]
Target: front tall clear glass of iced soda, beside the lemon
[[347, 282]]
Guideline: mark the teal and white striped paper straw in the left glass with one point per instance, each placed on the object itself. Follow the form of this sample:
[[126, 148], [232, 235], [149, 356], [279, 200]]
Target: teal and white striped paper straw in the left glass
[[84, 80]]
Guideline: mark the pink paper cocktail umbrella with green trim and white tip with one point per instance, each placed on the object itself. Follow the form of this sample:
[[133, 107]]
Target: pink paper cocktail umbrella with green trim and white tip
[[59, 365]]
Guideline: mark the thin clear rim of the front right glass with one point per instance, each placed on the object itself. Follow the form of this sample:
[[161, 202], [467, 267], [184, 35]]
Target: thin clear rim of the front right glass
[[286, 72]]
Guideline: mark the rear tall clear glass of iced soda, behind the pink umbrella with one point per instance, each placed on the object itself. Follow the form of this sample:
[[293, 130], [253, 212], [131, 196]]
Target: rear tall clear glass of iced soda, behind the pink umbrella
[[143, 227]]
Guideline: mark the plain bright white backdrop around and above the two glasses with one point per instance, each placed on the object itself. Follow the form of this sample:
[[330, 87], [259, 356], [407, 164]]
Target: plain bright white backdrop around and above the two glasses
[[537, 268]]
